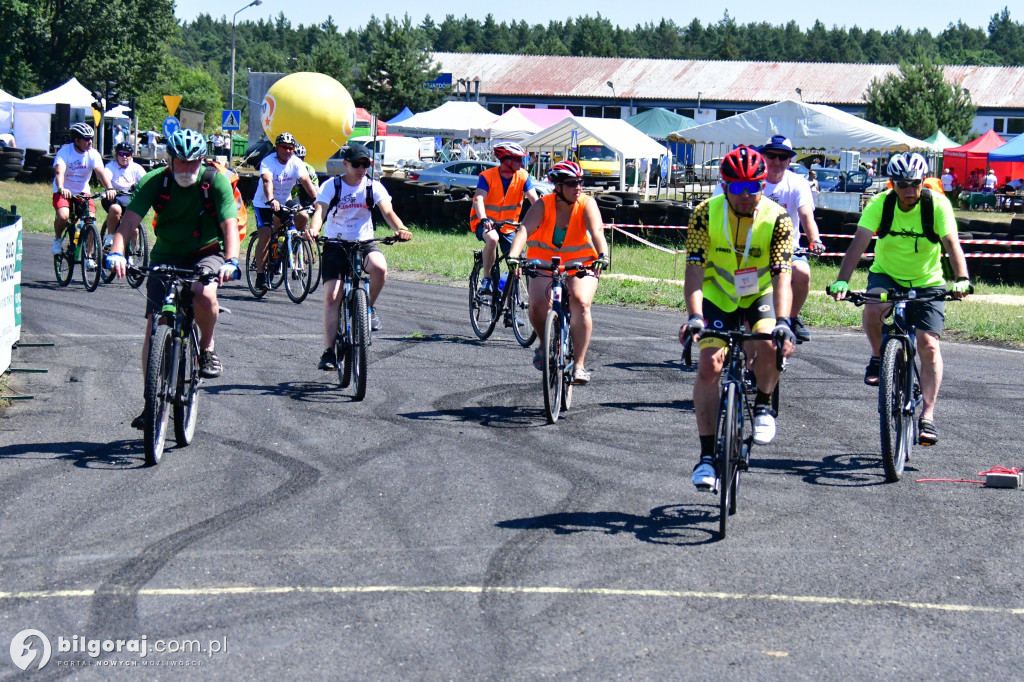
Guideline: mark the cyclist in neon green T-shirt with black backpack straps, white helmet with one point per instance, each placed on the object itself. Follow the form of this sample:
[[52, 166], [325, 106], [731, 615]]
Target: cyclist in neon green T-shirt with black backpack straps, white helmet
[[915, 227]]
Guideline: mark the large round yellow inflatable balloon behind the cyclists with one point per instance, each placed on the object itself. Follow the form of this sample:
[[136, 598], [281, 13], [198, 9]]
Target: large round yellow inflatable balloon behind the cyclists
[[315, 108]]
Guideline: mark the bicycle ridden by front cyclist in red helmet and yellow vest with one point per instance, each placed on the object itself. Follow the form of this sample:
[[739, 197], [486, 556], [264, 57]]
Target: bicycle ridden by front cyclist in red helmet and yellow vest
[[733, 441]]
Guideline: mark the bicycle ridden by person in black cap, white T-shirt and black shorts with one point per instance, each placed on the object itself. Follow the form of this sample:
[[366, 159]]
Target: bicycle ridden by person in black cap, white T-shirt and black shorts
[[354, 317]]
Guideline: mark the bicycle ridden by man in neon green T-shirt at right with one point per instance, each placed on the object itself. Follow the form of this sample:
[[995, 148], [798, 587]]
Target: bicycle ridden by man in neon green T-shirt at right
[[901, 399]]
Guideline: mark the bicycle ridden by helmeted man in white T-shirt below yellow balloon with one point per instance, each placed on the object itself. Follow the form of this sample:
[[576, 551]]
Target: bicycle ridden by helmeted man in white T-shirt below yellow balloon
[[289, 260]]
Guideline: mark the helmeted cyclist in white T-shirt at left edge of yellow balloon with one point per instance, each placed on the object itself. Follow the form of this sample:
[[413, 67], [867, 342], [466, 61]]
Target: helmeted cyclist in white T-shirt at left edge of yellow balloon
[[279, 173]]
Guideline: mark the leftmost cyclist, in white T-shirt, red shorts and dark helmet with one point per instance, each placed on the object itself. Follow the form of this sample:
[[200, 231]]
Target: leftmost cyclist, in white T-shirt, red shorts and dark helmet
[[73, 166]]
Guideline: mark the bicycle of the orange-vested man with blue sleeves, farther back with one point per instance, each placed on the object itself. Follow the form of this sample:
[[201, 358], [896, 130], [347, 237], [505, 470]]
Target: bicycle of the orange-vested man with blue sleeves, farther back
[[508, 299]]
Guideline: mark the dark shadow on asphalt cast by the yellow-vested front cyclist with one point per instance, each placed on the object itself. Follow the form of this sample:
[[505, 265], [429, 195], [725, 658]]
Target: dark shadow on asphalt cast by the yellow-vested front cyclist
[[671, 525]]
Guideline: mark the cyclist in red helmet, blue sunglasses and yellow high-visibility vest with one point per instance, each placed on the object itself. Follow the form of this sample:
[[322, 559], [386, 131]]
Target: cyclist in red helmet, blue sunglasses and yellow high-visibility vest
[[739, 265]]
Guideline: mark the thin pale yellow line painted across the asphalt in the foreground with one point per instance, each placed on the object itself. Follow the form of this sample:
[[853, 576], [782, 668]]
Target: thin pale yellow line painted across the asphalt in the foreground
[[479, 589]]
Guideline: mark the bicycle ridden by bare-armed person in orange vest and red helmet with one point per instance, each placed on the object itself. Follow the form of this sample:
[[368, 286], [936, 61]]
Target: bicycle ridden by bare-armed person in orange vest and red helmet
[[558, 340]]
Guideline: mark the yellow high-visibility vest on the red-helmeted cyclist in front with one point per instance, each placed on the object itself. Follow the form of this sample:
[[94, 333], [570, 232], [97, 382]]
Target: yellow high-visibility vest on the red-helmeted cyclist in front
[[722, 262]]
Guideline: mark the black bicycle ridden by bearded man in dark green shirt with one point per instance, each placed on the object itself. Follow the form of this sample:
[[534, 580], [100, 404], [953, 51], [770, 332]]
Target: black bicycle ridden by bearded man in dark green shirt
[[173, 378]]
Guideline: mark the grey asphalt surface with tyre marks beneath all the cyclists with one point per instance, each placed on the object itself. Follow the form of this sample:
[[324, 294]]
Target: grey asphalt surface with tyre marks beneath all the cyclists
[[442, 530]]
